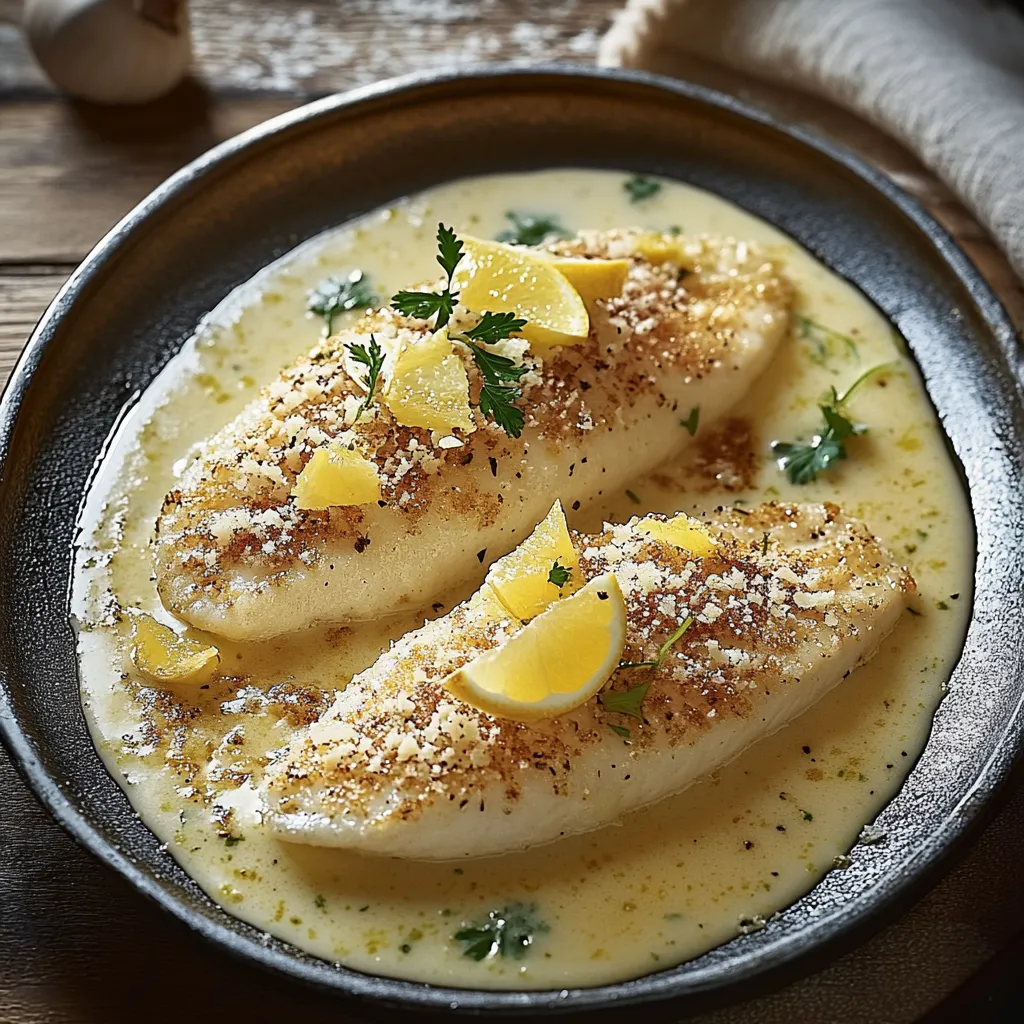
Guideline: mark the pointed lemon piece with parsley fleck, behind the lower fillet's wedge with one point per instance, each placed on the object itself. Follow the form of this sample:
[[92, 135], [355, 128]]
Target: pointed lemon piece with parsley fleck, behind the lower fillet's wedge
[[523, 578]]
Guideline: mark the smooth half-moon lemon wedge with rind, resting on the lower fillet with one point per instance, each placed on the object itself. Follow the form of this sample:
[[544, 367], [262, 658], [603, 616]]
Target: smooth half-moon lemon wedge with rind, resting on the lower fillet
[[557, 663]]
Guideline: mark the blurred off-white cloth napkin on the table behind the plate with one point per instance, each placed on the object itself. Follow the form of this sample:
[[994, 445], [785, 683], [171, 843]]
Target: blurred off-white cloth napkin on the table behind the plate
[[945, 77]]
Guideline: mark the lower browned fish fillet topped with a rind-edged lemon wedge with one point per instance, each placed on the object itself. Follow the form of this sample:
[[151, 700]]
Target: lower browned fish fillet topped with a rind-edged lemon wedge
[[794, 600]]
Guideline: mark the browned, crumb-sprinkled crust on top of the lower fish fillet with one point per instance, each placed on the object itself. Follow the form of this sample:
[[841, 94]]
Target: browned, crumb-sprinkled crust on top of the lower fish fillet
[[784, 581]]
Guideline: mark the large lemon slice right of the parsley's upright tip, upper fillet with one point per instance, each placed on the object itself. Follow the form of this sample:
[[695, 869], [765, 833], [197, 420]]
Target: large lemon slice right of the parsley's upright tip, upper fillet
[[497, 278]]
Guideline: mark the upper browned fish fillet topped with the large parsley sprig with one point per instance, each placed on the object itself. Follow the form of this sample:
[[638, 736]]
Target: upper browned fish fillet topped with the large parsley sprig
[[236, 557]]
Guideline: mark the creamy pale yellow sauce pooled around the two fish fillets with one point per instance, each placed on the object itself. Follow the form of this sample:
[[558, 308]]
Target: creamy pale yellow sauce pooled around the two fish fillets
[[669, 882]]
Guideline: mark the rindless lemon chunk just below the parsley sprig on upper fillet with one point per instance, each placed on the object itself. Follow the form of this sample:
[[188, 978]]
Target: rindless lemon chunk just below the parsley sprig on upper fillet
[[429, 387]]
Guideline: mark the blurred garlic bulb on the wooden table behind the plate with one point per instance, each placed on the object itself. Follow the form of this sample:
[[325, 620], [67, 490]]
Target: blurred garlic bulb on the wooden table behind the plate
[[111, 52]]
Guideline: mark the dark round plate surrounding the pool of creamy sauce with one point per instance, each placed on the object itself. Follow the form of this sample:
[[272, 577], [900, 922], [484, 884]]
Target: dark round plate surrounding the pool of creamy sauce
[[142, 291]]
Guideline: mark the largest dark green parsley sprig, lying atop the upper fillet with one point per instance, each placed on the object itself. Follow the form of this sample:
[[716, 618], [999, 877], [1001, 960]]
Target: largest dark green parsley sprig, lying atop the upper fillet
[[501, 376]]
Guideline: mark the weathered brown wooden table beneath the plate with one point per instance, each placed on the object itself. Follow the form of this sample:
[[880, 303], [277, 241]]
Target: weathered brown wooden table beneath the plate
[[76, 944]]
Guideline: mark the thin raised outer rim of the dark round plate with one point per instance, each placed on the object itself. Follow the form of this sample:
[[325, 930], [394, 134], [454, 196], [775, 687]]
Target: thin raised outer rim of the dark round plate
[[945, 845]]
